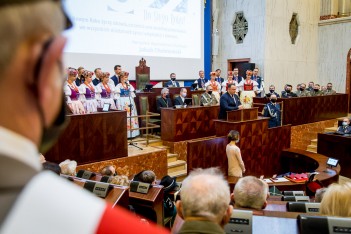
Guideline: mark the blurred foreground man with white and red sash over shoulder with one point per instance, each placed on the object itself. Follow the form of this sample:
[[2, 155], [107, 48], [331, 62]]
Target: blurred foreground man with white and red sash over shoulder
[[32, 113]]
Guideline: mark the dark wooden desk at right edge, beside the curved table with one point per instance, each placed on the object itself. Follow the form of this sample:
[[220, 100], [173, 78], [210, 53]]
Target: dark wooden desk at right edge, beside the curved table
[[338, 147]]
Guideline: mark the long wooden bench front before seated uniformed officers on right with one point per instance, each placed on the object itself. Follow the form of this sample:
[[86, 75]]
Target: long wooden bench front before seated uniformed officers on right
[[303, 110]]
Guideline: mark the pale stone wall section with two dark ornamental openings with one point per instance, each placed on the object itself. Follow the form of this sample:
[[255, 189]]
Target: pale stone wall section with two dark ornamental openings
[[268, 42]]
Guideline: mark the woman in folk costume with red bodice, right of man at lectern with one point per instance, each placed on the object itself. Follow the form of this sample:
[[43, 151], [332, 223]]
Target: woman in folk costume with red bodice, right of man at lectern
[[247, 90]]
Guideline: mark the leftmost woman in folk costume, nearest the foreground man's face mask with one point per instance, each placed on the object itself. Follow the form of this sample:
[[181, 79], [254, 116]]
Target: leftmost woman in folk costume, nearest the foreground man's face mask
[[72, 93]]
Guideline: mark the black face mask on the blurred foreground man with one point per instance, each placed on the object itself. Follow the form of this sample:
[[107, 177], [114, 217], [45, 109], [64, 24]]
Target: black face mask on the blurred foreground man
[[52, 133]]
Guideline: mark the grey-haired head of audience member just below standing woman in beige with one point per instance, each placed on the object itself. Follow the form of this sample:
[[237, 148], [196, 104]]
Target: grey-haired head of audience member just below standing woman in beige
[[250, 192]]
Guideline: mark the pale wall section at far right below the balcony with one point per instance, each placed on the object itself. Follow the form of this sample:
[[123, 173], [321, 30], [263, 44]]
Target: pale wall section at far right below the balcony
[[334, 45]]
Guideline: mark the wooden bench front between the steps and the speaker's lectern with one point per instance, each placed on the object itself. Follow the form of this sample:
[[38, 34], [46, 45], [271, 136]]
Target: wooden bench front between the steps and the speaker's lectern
[[188, 123]]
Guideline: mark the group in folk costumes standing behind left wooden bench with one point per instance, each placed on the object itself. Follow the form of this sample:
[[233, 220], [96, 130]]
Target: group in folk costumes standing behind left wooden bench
[[85, 95]]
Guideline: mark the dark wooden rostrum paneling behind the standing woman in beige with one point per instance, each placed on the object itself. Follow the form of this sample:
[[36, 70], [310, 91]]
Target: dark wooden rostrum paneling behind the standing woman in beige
[[260, 147]]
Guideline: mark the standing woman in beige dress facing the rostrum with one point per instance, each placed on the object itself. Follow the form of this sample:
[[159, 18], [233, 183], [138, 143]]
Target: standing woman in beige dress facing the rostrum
[[236, 165]]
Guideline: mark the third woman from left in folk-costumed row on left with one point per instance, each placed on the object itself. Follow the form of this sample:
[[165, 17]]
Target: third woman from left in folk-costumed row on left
[[106, 90]]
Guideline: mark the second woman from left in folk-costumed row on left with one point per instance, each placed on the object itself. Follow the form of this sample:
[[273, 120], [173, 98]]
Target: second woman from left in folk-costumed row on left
[[87, 90]]
